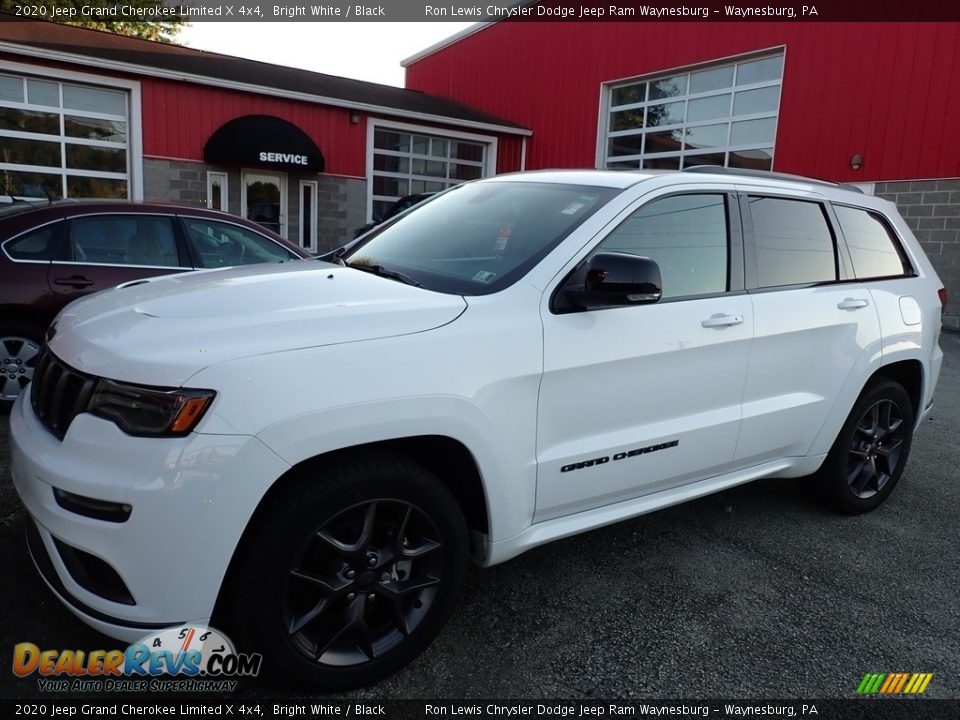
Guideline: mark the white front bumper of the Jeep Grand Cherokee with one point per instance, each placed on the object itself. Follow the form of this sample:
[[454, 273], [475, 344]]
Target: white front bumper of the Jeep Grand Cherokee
[[191, 500]]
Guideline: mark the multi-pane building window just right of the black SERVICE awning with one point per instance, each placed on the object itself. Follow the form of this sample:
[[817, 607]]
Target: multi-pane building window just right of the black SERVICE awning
[[406, 161]]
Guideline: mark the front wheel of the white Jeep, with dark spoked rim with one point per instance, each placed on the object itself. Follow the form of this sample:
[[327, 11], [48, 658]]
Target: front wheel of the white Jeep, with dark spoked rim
[[350, 574]]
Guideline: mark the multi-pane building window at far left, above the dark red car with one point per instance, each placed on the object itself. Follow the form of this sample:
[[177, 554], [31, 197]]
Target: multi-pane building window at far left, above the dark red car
[[60, 139]]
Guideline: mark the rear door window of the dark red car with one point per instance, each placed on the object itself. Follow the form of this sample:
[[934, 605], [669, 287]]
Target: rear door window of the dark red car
[[122, 240]]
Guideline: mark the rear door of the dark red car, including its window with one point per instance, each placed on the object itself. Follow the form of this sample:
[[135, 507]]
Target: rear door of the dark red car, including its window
[[100, 251]]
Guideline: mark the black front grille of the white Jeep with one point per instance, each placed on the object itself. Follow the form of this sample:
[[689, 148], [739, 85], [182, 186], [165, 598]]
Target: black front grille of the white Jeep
[[58, 393]]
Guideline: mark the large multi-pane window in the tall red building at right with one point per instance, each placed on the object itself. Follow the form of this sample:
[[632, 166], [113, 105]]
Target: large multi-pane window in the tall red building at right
[[717, 115]]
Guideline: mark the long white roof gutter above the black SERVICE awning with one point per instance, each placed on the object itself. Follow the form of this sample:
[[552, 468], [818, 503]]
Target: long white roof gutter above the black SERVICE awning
[[88, 61]]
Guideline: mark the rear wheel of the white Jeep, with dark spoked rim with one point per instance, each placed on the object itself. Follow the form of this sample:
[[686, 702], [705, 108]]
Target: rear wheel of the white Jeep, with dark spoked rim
[[868, 456]]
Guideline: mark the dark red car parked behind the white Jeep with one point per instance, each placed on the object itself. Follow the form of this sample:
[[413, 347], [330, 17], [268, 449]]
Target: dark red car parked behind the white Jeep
[[56, 252]]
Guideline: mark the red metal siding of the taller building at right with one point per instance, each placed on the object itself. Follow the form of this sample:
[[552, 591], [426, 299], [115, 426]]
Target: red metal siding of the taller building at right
[[889, 91]]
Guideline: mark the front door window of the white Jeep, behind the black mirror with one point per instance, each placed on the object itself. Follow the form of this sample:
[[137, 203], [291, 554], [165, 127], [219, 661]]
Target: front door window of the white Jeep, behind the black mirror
[[687, 237]]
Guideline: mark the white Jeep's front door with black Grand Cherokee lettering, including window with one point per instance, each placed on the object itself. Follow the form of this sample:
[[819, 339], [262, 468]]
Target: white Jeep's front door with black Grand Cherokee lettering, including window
[[642, 398]]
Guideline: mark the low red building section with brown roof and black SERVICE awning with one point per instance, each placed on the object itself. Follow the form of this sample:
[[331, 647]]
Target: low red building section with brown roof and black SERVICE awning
[[311, 156]]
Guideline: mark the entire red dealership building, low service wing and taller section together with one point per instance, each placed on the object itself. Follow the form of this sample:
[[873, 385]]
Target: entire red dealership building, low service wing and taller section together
[[314, 156]]
